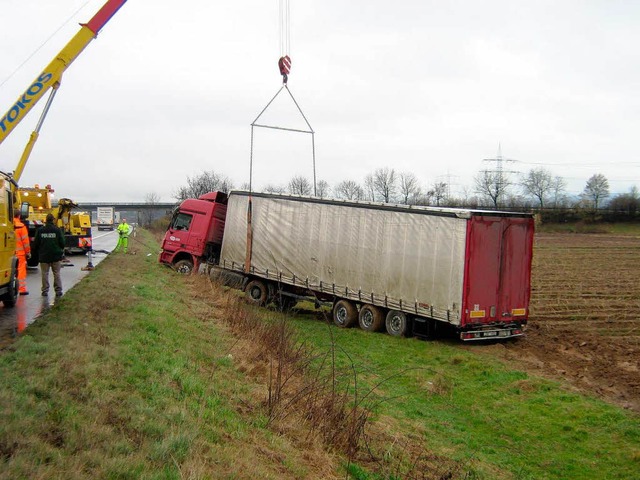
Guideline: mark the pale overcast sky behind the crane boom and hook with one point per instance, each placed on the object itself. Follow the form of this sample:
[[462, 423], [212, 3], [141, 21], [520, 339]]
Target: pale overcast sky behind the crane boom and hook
[[169, 89]]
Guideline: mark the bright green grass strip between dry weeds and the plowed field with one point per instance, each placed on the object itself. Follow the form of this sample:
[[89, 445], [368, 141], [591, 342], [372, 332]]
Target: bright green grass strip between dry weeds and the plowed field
[[487, 412]]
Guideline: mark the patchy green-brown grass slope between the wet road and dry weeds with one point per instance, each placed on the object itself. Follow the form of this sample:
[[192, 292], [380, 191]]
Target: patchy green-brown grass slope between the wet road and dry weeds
[[127, 377]]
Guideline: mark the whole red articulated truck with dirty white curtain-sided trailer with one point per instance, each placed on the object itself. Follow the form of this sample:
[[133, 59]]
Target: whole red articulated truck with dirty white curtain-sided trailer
[[410, 270]]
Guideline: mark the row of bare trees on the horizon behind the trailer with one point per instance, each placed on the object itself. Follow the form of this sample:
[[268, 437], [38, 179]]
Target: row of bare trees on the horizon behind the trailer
[[537, 189]]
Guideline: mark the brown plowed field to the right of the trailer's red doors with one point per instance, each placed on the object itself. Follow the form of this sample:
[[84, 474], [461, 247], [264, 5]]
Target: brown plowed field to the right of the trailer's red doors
[[585, 315]]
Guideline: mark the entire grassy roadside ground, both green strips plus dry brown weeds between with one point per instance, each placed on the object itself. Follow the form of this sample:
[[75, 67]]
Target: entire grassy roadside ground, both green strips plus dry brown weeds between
[[138, 373]]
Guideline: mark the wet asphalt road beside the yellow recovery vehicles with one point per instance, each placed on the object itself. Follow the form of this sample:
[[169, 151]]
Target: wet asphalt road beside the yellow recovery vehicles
[[15, 320]]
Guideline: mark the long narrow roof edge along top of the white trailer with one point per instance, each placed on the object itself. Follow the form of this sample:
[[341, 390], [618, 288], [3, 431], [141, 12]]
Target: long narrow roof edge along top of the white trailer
[[441, 211]]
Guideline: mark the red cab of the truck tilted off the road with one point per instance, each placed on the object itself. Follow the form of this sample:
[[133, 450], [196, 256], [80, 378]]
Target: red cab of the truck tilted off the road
[[195, 232]]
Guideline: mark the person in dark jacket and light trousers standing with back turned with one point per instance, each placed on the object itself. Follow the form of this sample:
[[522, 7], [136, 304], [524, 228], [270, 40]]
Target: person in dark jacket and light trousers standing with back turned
[[49, 245]]
